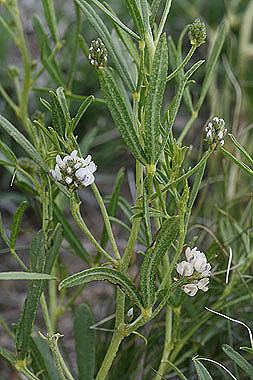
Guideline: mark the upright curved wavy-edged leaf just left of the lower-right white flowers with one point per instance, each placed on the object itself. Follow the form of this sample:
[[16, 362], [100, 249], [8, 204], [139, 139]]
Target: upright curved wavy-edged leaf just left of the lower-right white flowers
[[165, 237]]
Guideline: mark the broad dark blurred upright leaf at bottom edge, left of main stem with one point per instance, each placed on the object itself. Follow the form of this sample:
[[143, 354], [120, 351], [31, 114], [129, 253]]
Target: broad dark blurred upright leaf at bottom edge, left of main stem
[[85, 342]]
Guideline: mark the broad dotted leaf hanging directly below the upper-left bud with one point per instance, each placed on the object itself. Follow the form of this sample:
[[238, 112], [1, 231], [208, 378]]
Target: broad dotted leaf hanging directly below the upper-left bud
[[115, 101]]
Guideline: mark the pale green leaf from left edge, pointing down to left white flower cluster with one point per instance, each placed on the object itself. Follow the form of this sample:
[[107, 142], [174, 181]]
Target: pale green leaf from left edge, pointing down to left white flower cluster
[[22, 141]]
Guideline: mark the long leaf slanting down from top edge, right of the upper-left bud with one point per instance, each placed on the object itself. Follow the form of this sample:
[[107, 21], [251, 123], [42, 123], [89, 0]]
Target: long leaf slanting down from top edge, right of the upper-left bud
[[113, 51]]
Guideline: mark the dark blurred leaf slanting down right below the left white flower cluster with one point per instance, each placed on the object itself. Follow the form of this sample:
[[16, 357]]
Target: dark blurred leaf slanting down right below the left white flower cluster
[[71, 236]]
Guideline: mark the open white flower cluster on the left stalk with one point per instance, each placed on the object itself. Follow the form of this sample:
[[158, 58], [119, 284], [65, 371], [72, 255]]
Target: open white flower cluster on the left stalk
[[74, 171]]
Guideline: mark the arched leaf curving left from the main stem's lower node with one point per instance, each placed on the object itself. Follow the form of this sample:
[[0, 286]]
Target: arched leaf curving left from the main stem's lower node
[[101, 274]]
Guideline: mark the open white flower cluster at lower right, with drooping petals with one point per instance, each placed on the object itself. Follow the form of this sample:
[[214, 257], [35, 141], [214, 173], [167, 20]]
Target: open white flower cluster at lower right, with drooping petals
[[197, 267]]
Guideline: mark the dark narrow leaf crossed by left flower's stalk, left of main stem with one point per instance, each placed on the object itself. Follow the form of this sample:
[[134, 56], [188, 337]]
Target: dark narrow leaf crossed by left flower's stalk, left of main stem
[[112, 207]]
